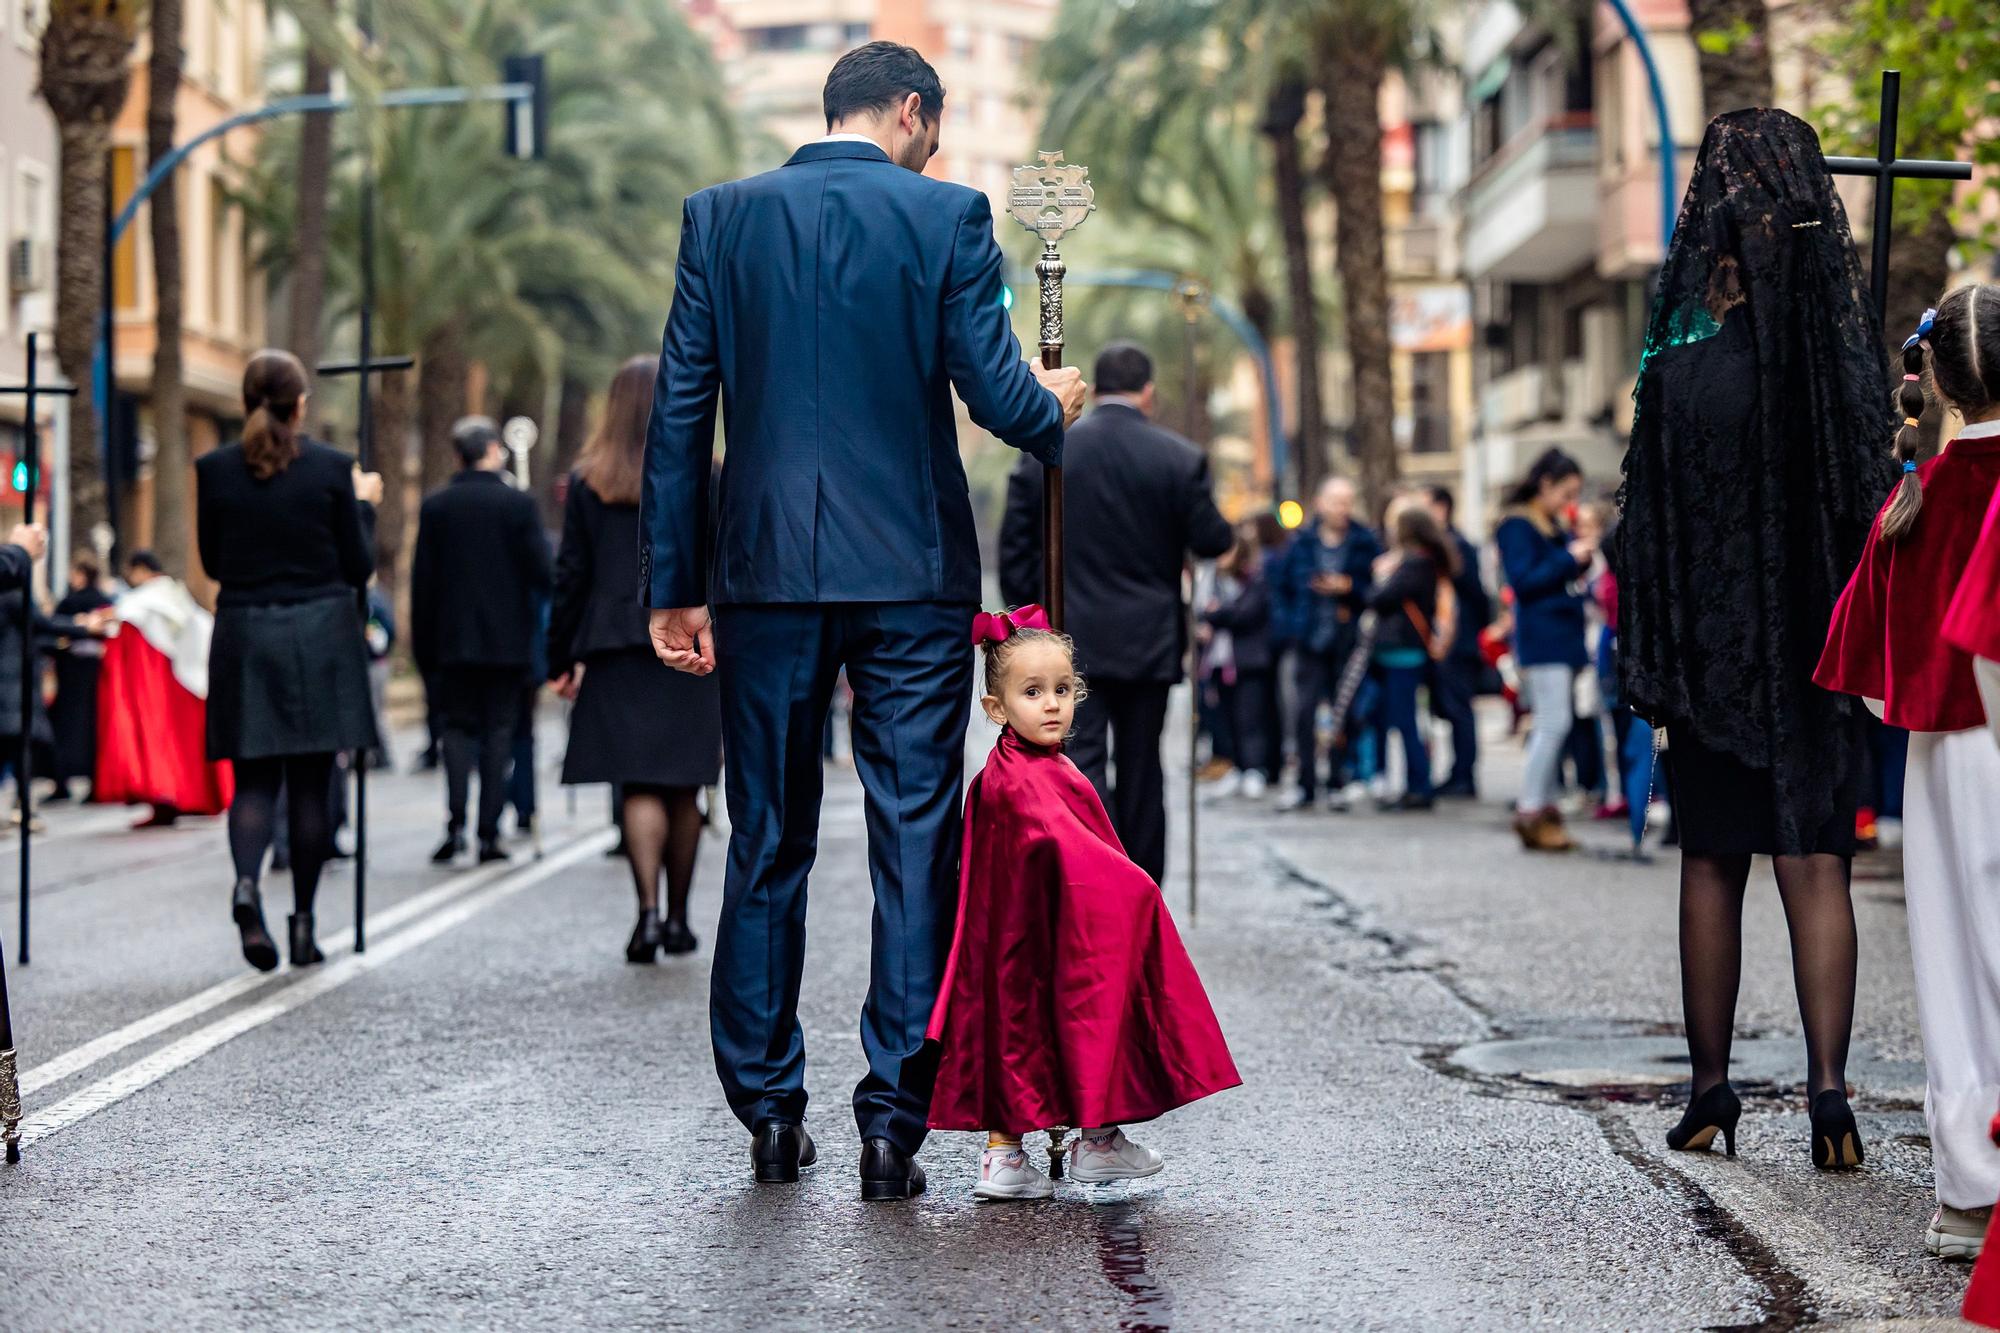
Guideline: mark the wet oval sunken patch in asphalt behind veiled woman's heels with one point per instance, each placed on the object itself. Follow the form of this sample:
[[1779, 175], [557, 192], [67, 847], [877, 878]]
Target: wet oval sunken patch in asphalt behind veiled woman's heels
[[1649, 1066]]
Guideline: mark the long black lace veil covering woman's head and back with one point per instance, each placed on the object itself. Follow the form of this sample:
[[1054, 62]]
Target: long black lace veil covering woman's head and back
[[1757, 465]]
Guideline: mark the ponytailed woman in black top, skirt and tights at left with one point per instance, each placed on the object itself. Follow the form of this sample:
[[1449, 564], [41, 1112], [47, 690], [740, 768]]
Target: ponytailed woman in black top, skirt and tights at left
[[283, 527]]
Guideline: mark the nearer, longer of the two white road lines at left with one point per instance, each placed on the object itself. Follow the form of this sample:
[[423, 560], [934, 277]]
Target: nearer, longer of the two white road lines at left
[[181, 1054]]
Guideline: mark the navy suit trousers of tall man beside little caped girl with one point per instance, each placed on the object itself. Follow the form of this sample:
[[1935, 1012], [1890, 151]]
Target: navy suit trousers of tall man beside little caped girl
[[911, 670]]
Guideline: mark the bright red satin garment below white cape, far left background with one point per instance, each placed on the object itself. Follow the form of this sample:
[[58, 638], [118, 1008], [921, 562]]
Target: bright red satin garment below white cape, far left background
[[153, 734]]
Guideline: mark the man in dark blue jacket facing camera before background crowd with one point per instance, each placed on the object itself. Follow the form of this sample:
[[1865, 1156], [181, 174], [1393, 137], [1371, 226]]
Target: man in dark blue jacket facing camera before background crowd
[[1325, 589]]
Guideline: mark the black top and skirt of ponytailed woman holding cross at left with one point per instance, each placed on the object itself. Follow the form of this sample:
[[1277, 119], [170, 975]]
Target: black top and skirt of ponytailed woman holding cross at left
[[289, 663]]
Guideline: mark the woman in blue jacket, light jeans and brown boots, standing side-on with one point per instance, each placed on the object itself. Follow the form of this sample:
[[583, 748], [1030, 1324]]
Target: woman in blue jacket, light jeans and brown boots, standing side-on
[[1545, 563]]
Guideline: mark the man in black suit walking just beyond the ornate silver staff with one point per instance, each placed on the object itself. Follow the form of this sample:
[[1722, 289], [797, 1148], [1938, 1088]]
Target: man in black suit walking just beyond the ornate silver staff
[[1135, 503]]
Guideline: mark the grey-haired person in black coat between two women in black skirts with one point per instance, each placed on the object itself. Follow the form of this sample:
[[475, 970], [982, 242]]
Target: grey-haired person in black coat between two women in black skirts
[[479, 571]]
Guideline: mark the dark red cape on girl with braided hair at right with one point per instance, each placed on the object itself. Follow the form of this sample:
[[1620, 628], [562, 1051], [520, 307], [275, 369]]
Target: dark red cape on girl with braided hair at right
[[1887, 637]]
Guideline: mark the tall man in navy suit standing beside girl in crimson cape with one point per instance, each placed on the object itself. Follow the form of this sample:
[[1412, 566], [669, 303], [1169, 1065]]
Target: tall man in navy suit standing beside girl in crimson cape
[[835, 305]]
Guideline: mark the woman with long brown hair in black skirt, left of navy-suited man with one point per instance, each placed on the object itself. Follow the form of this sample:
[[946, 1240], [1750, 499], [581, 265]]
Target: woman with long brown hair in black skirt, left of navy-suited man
[[639, 724]]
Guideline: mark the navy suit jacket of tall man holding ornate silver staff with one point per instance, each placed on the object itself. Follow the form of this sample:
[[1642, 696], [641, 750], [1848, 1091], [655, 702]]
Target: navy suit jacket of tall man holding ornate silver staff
[[835, 303]]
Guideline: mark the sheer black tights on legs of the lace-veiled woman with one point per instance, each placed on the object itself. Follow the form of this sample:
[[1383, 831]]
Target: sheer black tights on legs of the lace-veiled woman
[[1821, 920]]
